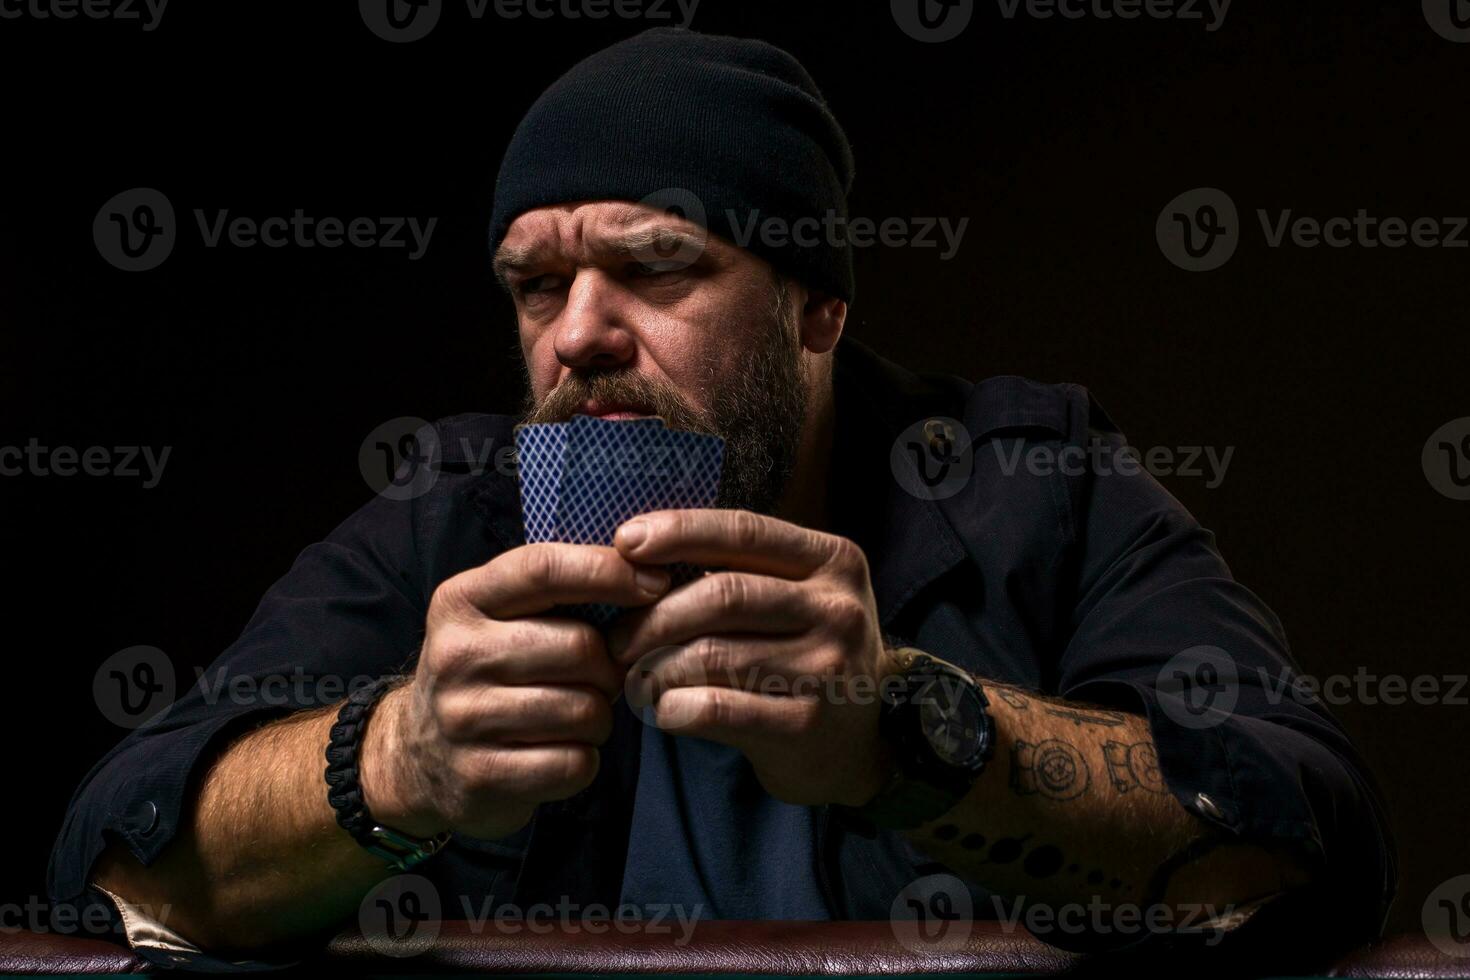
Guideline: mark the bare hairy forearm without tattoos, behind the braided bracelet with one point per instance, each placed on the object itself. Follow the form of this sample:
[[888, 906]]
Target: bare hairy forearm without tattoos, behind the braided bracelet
[[259, 859]]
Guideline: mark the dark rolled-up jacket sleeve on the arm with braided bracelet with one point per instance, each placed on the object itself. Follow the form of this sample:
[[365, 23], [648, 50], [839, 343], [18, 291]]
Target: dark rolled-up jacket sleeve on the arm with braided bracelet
[[349, 610]]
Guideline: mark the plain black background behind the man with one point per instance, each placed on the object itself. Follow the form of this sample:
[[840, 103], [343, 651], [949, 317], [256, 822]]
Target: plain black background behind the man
[[1061, 142]]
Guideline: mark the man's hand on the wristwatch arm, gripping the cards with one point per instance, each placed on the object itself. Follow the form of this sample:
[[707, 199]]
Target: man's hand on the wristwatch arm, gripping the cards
[[778, 655]]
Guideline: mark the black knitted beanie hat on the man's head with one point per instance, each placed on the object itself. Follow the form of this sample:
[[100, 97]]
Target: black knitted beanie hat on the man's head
[[733, 131]]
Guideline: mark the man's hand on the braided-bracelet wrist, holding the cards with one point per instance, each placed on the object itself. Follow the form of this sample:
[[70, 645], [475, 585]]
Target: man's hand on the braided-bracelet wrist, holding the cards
[[508, 707]]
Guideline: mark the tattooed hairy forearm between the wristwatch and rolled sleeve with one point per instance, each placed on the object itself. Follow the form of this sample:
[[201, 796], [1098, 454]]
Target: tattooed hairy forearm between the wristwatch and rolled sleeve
[[1074, 810]]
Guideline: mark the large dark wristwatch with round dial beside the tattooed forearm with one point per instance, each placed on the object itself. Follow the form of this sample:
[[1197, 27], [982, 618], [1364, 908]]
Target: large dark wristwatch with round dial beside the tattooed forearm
[[937, 722]]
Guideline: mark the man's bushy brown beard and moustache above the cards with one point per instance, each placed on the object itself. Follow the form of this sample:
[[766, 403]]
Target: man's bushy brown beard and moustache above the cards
[[759, 412]]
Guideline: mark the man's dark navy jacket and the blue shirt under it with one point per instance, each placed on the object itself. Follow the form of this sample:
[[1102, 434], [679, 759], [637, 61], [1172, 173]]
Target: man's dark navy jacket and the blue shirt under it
[[1080, 583]]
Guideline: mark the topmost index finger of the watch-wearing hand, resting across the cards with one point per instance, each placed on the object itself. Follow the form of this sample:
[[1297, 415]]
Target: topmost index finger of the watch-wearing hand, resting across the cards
[[725, 538]]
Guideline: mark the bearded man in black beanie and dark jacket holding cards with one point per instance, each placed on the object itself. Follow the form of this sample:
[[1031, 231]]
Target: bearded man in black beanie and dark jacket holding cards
[[1065, 702]]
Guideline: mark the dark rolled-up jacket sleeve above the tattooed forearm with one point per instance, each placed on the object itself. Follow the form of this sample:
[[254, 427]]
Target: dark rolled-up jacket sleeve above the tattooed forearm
[[1162, 628]]
